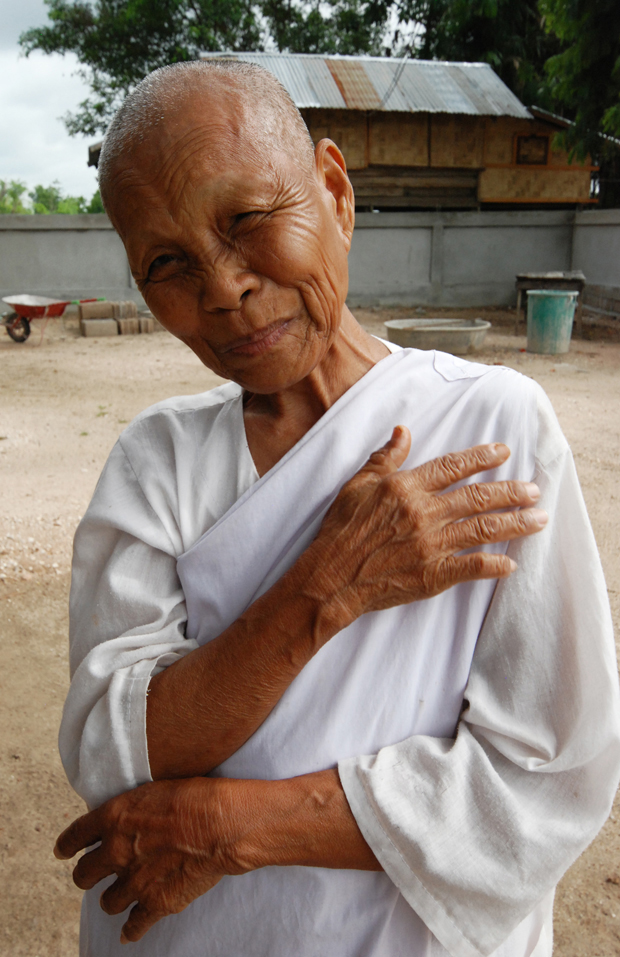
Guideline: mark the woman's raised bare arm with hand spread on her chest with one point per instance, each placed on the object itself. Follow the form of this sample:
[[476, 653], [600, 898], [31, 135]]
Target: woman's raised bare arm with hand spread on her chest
[[388, 539]]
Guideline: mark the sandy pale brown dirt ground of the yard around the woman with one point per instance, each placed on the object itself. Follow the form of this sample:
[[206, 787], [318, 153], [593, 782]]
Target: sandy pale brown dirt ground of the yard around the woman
[[63, 402]]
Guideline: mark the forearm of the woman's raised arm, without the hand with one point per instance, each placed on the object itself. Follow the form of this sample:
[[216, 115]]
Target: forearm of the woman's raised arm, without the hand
[[204, 707]]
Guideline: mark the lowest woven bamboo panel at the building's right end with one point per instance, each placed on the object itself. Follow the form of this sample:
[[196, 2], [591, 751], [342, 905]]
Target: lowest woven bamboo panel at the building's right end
[[528, 184]]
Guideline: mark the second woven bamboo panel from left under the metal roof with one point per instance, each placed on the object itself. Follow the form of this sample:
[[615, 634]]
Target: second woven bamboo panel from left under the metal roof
[[398, 139]]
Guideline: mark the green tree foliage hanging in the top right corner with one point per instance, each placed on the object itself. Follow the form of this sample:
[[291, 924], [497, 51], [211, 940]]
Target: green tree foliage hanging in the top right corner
[[585, 76]]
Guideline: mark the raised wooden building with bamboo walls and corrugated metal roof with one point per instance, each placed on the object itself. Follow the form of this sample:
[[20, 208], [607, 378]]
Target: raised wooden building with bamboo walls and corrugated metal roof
[[429, 134]]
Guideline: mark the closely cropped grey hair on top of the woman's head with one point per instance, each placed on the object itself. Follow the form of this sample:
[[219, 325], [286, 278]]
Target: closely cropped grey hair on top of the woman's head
[[261, 102]]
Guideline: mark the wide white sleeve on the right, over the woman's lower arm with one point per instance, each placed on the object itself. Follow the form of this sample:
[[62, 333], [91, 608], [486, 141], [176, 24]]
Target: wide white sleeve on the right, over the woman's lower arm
[[475, 831]]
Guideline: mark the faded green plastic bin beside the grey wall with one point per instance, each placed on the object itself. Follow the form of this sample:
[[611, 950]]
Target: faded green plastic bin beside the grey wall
[[550, 314]]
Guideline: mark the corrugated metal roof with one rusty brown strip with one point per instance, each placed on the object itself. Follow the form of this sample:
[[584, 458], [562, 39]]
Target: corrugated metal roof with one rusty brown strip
[[378, 83]]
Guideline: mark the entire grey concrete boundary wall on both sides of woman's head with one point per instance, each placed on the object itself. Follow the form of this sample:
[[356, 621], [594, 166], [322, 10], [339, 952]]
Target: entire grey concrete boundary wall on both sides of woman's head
[[451, 259]]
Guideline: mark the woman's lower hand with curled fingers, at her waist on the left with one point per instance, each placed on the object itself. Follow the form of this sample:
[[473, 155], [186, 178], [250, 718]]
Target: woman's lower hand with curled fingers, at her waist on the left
[[168, 842]]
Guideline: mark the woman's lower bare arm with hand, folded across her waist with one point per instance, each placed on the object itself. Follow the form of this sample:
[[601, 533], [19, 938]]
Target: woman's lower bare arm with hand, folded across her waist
[[171, 841]]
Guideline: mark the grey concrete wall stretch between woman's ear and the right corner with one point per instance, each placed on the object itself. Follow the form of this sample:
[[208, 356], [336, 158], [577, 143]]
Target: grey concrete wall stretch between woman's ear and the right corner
[[454, 259]]
